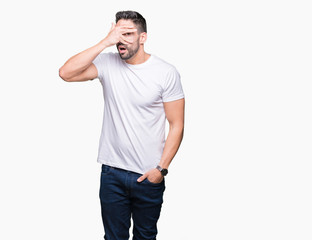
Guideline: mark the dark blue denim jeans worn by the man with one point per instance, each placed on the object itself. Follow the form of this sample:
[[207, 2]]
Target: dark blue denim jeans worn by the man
[[122, 197]]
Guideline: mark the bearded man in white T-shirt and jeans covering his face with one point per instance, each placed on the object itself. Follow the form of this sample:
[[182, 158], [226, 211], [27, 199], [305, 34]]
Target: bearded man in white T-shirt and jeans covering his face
[[140, 92]]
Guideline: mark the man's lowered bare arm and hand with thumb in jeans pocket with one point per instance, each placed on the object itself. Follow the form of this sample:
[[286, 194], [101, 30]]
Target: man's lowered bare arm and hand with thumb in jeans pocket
[[175, 115]]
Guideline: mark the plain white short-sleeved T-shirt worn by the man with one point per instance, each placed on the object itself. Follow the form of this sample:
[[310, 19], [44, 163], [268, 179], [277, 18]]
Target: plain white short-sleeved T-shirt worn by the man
[[133, 131]]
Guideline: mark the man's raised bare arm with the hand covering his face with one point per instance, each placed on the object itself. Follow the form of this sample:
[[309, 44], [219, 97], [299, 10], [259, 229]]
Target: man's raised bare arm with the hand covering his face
[[80, 66]]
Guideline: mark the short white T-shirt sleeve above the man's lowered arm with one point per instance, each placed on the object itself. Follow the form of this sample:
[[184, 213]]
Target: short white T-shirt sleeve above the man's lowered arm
[[172, 88]]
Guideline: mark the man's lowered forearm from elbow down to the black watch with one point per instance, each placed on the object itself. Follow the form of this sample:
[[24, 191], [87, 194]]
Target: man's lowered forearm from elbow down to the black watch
[[172, 145]]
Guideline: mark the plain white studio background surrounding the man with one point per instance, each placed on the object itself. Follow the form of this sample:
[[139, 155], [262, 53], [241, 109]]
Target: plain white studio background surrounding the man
[[244, 168]]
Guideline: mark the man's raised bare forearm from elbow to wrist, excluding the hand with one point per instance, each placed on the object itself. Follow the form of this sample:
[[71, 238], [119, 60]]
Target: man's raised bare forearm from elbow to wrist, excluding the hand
[[81, 61]]
